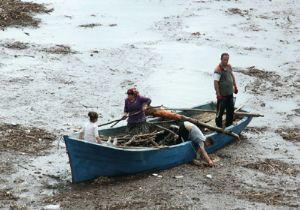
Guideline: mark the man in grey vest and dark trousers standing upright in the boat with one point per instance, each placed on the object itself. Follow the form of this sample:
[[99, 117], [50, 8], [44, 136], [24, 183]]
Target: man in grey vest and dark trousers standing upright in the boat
[[225, 85]]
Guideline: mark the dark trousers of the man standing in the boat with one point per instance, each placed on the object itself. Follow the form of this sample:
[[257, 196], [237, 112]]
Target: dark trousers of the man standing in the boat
[[226, 103]]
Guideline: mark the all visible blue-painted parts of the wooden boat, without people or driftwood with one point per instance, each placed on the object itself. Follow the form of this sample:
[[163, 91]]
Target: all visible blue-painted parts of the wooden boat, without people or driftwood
[[90, 160]]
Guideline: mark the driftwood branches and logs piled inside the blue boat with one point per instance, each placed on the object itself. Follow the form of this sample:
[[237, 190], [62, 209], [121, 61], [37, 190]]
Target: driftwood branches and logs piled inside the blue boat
[[161, 134]]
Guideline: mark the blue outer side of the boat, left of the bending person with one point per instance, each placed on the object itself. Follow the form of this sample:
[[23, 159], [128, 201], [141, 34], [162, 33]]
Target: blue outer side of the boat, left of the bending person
[[89, 161]]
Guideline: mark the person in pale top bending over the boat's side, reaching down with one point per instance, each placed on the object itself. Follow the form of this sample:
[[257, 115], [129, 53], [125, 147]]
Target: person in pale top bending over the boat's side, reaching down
[[189, 131]]
